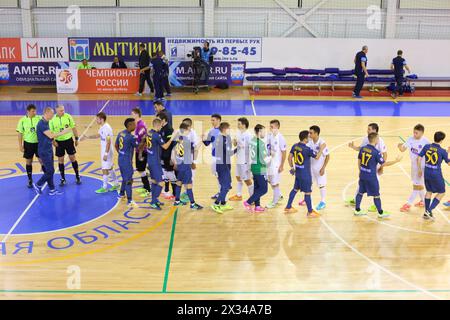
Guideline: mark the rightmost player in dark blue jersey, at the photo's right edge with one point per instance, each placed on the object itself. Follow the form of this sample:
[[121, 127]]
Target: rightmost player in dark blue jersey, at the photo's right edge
[[434, 154]]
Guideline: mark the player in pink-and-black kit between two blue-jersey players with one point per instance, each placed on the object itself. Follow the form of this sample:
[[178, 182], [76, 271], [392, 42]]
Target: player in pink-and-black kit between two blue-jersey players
[[141, 152]]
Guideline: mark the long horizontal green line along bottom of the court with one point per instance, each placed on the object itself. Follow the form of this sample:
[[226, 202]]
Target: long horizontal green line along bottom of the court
[[219, 292]]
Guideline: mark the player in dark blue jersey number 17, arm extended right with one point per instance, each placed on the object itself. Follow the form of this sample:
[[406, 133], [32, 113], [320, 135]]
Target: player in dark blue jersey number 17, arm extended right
[[368, 160]]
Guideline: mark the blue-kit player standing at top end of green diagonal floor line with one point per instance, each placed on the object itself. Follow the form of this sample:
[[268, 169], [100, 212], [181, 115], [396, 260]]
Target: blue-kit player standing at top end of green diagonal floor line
[[182, 159]]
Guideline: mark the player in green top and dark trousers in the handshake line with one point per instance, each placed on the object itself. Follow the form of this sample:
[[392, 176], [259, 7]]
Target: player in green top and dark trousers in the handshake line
[[259, 158]]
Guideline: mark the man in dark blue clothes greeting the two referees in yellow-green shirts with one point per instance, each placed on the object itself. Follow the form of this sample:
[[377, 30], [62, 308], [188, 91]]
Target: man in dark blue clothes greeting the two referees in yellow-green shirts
[[45, 150]]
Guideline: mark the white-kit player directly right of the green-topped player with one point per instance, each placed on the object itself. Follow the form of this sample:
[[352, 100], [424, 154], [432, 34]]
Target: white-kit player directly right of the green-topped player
[[276, 145]]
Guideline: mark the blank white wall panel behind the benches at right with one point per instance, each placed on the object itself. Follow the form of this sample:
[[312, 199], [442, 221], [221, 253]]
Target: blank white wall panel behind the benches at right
[[426, 57]]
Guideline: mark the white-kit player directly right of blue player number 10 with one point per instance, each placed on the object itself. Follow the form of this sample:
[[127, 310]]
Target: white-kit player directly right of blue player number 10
[[318, 166]]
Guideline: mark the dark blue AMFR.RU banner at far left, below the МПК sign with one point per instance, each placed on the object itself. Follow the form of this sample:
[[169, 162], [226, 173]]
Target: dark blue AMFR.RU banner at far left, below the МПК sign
[[26, 74]]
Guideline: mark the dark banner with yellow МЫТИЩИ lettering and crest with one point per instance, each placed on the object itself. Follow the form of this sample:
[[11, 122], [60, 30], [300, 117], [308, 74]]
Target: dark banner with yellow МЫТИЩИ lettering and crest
[[105, 49]]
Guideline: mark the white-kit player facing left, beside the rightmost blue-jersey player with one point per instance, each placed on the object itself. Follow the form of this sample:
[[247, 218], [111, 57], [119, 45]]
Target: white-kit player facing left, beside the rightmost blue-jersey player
[[415, 144]]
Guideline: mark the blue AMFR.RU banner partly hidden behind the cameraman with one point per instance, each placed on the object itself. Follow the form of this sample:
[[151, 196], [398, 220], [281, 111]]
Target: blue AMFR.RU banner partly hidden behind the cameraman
[[182, 73]]
